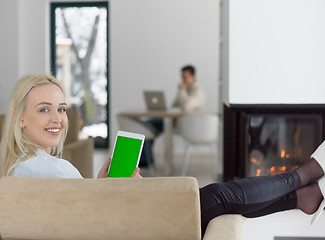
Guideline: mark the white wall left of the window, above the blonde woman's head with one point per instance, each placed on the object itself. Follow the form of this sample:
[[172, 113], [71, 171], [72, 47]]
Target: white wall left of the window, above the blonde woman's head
[[22, 43]]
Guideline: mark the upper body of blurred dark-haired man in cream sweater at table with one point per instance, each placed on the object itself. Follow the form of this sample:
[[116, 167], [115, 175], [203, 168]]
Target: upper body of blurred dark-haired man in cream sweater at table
[[190, 96]]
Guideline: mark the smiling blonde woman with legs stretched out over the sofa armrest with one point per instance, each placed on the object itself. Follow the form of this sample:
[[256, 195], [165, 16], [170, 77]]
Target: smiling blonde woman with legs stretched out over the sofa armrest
[[36, 125]]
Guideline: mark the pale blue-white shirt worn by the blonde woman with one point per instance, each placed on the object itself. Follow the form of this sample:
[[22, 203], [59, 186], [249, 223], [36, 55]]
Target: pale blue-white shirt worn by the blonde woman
[[43, 165]]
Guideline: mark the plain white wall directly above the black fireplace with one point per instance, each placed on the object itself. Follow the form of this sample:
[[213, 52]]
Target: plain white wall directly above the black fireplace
[[276, 51]]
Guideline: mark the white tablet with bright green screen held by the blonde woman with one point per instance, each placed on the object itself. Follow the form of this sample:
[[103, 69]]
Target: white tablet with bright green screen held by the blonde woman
[[126, 154]]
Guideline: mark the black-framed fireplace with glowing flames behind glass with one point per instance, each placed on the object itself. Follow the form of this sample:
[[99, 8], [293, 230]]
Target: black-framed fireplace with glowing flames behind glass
[[264, 140]]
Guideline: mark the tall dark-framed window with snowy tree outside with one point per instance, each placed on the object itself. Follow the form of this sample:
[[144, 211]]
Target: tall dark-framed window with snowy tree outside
[[79, 59]]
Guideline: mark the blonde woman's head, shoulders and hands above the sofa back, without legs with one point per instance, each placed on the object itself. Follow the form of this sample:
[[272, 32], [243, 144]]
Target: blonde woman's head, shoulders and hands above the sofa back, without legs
[[35, 129]]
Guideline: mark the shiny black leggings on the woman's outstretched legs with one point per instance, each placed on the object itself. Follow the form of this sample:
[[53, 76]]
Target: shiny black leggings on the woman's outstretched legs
[[250, 197]]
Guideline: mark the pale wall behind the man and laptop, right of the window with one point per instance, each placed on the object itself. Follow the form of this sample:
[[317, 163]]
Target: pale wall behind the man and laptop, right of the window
[[152, 40]]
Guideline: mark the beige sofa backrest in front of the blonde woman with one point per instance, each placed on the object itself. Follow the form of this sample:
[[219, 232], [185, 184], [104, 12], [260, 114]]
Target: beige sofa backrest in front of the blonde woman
[[152, 208]]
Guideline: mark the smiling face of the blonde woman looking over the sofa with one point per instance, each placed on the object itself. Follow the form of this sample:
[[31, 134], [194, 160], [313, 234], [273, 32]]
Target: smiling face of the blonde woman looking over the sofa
[[44, 118]]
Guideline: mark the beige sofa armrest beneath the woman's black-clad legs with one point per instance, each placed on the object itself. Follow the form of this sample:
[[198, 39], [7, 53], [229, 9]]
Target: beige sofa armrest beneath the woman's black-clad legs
[[225, 227]]
